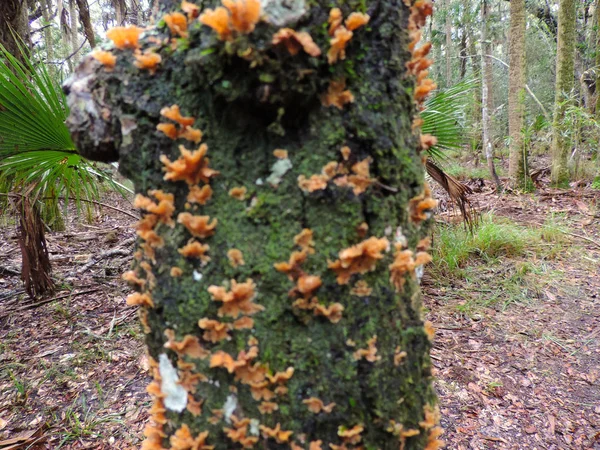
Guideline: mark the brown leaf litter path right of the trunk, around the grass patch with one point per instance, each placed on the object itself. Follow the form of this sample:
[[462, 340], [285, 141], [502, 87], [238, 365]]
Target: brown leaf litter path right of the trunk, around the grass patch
[[524, 373]]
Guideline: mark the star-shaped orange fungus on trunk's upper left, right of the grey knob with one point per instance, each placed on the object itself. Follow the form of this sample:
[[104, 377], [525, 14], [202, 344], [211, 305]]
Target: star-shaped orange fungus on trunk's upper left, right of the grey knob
[[191, 166]]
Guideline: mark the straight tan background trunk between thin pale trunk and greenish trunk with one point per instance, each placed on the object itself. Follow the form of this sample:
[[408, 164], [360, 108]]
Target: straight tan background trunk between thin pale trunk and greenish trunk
[[516, 94]]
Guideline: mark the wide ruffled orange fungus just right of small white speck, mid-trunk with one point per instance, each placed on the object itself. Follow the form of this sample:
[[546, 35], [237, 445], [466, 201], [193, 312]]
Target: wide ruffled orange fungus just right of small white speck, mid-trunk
[[238, 300]]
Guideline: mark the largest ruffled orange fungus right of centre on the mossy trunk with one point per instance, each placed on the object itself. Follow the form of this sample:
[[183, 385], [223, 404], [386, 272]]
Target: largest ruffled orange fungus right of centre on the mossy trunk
[[360, 258]]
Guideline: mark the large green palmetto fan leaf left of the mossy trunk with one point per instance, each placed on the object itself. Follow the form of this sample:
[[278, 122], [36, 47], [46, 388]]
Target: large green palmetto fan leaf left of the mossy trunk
[[36, 150]]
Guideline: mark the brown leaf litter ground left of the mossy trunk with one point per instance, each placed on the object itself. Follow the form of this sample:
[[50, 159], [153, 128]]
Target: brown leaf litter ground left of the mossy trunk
[[73, 371]]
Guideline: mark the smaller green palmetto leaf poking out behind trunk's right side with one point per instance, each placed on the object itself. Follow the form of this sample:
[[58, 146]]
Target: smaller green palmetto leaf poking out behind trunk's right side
[[444, 117]]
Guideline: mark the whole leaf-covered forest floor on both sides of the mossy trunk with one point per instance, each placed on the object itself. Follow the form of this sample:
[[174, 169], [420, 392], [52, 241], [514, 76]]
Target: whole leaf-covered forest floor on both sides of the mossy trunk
[[517, 351]]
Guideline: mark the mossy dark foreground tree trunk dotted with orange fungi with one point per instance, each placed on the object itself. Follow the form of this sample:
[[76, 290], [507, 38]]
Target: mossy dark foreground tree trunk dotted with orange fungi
[[249, 98]]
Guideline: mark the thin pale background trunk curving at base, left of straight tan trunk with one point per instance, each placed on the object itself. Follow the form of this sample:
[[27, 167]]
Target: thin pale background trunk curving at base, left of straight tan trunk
[[487, 102]]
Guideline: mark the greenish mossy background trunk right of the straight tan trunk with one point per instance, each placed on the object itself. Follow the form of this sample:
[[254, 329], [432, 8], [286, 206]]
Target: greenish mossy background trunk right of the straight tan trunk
[[565, 70]]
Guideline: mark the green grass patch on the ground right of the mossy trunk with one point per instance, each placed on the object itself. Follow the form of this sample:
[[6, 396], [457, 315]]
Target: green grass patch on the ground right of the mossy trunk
[[499, 264]]
